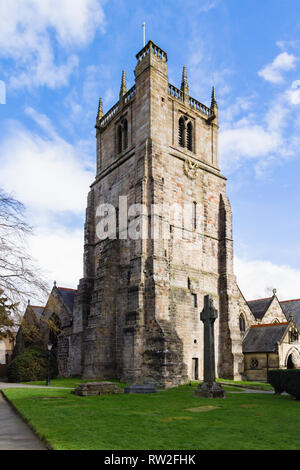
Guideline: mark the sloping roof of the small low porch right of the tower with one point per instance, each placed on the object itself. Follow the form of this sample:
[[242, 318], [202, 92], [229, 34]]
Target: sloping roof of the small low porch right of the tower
[[263, 338]]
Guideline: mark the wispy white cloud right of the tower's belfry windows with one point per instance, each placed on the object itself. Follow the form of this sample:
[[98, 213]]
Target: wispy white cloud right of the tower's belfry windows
[[260, 135]]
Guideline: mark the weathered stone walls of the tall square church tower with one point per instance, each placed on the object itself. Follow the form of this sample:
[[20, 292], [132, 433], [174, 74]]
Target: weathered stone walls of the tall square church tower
[[140, 300]]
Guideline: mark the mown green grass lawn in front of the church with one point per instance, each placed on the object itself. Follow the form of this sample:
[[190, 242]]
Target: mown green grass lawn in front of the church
[[172, 419]]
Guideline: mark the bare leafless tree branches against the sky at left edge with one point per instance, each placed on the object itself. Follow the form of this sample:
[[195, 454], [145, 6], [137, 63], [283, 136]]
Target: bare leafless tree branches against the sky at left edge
[[20, 278]]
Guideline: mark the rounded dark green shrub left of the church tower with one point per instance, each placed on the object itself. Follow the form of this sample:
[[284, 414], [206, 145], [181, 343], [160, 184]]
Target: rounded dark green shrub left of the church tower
[[31, 365]]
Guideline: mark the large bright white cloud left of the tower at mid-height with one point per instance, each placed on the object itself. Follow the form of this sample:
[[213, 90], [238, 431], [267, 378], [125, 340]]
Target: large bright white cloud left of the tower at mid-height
[[45, 173]]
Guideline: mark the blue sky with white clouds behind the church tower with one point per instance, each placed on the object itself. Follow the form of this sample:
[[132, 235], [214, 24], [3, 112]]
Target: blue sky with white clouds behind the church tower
[[57, 57]]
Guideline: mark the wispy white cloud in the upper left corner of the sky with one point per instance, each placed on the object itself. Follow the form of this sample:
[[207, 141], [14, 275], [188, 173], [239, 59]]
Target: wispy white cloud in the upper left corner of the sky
[[28, 30]]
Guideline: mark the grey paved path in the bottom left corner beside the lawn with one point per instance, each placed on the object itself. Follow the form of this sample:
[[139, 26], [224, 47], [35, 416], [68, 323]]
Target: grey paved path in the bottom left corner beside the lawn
[[14, 433]]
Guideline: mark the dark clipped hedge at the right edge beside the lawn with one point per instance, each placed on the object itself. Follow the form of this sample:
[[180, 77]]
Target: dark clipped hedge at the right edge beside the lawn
[[285, 380]]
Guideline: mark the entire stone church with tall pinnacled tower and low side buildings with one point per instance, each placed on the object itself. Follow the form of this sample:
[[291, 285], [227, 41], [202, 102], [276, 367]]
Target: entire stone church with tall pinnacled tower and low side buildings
[[136, 312]]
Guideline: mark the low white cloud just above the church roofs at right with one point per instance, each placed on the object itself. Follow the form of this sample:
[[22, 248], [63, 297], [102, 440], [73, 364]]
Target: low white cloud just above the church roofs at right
[[257, 278]]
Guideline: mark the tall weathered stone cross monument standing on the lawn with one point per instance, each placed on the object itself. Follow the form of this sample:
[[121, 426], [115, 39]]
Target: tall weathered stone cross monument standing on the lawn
[[209, 388]]
